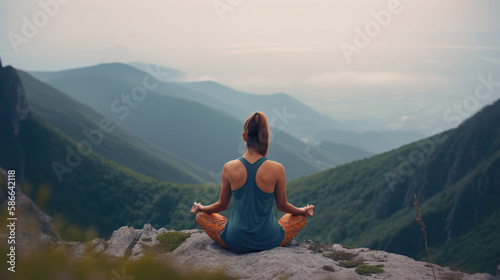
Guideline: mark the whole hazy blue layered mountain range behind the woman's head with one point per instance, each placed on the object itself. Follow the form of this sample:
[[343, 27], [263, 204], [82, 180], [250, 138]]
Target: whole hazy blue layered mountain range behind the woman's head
[[180, 119]]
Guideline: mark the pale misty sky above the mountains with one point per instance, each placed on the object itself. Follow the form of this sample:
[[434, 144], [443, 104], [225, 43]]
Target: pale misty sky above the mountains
[[426, 58]]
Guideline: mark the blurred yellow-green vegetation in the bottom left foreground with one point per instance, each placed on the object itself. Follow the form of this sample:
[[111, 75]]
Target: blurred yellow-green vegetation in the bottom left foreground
[[58, 264]]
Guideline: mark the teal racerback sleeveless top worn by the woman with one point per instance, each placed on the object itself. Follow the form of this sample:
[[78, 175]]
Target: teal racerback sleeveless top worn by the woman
[[252, 226]]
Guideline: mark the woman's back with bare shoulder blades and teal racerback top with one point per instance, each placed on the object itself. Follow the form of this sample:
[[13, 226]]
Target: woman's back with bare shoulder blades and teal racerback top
[[252, 225]]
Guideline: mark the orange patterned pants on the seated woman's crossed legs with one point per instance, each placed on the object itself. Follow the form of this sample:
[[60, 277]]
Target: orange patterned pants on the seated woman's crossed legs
[[213, 224]]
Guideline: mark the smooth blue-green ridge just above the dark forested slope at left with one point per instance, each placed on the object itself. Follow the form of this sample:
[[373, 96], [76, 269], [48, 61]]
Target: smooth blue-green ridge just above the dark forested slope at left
[[121, 146]]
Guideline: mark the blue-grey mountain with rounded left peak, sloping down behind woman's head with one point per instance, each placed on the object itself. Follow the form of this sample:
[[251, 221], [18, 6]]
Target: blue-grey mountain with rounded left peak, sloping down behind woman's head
[[201, 134]]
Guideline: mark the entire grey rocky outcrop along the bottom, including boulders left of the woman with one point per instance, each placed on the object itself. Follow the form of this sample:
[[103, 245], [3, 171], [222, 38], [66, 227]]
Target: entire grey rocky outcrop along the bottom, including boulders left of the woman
[[297, 260]]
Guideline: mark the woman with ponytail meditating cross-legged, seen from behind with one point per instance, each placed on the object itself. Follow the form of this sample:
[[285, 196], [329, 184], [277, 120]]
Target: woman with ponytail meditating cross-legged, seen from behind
[[255, 183]]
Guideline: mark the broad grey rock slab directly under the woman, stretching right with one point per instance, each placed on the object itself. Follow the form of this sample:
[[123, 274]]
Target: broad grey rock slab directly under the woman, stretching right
[[296, 261]]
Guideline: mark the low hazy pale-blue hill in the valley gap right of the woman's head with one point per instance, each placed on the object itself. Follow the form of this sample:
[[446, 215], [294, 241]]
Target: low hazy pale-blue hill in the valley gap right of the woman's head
[[372, 141]]
